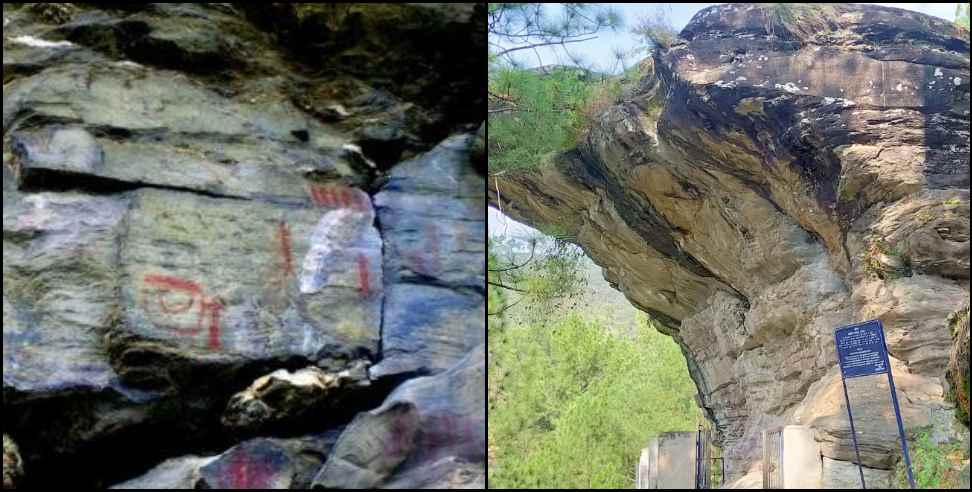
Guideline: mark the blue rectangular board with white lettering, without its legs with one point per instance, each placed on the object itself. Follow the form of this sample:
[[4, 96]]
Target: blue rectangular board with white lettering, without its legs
[[861, 350]]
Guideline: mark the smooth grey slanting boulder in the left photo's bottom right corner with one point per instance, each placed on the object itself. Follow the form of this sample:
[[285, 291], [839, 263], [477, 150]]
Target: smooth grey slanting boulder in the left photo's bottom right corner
[[424, 421]]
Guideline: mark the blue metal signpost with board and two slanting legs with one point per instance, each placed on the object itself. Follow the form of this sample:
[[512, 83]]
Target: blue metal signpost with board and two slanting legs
[[861, 351]]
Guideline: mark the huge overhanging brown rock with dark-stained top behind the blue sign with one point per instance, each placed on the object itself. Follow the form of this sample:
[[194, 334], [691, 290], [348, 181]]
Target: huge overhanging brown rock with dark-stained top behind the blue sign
[[776, 173]]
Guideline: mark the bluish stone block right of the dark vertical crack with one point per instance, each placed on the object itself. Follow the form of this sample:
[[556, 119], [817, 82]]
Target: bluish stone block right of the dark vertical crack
[[432, 215]]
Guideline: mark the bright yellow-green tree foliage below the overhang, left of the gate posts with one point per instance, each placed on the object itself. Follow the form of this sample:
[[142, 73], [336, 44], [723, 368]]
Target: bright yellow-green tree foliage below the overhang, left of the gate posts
[[571, 406]]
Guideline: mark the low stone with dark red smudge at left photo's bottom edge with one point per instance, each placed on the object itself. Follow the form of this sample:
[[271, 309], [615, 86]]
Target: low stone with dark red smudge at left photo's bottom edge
[[254, 464]]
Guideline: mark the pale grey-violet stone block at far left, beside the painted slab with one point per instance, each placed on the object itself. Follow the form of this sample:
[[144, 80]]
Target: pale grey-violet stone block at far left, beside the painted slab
[[60, 273]]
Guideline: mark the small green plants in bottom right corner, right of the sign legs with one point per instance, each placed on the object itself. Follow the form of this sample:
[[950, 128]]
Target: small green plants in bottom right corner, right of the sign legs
[[932, 463]]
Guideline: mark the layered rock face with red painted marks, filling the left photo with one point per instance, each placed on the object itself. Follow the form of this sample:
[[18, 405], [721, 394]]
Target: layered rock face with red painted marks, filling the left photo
[[217, 218]]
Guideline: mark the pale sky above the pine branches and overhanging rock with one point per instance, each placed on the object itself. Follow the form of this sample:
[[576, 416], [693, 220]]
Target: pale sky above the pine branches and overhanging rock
[[598, 52]]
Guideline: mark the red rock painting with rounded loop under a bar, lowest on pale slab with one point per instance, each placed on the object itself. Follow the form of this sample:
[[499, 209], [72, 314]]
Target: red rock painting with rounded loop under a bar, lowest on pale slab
[[176, 298]]
